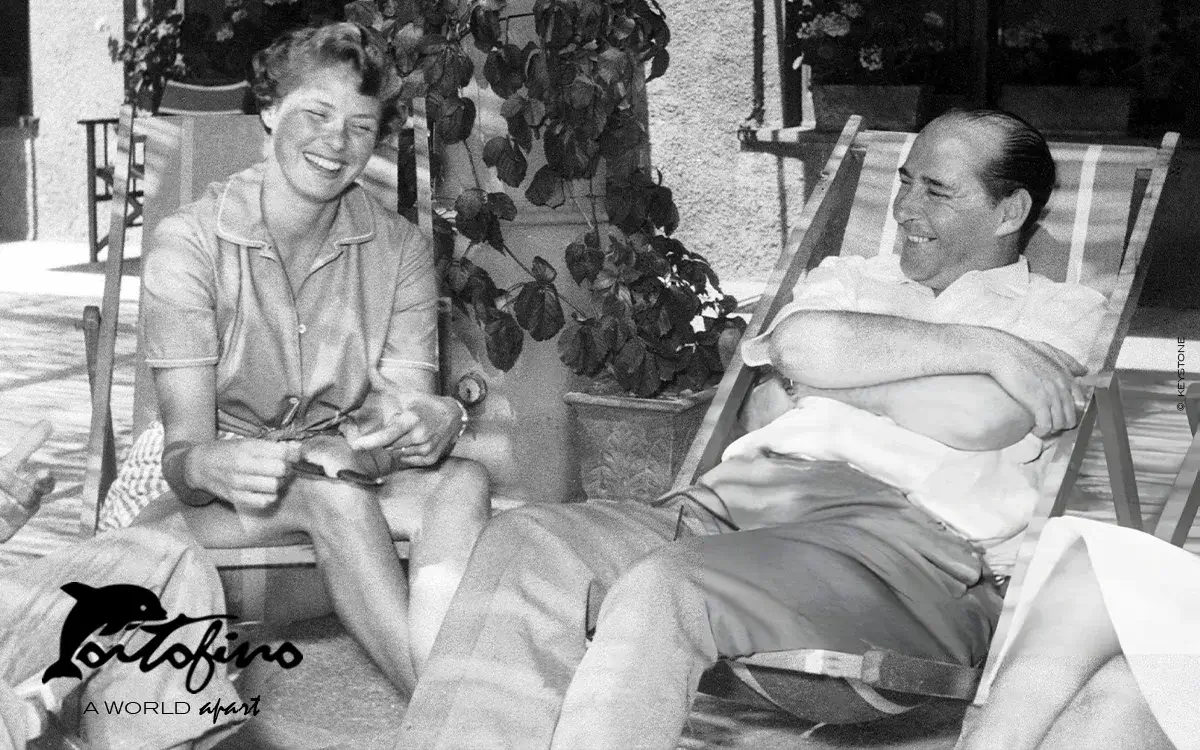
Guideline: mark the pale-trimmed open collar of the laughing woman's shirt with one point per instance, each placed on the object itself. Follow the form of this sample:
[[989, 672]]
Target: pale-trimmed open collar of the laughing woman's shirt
[[241, 213]]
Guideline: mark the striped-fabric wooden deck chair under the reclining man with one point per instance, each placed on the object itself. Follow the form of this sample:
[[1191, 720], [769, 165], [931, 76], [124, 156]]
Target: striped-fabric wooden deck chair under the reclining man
[[1095, 232]]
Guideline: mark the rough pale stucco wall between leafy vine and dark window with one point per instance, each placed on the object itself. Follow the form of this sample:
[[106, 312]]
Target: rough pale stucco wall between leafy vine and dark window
[[734, 206]]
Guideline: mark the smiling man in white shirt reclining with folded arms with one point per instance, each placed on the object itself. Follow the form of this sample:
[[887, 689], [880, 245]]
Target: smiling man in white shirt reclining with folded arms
[[871, 517]]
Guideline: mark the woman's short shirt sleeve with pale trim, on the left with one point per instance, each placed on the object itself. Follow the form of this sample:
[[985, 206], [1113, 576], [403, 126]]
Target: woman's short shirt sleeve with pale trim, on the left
[[179, 298]]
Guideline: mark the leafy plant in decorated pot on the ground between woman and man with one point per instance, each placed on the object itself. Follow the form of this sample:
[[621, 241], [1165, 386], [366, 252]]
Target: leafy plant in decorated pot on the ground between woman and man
[[659, 340]]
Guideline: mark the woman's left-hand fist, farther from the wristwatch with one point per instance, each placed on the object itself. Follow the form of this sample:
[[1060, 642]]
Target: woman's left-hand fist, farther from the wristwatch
[[247, 472]]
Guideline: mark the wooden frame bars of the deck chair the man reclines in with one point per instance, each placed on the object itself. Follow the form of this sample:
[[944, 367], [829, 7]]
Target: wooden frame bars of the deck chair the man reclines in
[[820, 233]]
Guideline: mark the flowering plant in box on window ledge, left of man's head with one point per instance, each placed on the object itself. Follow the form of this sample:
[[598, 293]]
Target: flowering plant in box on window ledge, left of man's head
[[877, 59]]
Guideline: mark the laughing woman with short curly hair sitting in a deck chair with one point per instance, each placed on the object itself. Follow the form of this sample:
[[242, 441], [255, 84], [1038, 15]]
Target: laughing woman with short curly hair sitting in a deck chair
[[287, 304]]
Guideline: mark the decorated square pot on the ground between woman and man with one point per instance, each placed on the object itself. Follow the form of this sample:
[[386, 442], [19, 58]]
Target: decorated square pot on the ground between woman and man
[[629, 448]]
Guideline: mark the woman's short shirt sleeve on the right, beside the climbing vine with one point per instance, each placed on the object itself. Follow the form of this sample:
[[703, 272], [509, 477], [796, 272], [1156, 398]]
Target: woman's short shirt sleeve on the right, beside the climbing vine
[[412, 340]]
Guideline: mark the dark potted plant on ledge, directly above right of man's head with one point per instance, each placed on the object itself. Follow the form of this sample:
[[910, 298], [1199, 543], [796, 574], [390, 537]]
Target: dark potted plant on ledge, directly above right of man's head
[[1070, 83]]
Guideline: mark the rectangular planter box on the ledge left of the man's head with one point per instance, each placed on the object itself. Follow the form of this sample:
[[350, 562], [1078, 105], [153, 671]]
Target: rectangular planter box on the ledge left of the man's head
[[884, 107]]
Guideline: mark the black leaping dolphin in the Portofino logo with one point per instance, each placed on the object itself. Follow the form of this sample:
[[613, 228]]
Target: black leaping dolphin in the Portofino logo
[[111, 609]]
